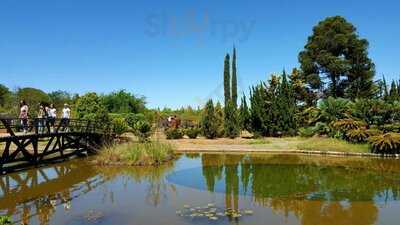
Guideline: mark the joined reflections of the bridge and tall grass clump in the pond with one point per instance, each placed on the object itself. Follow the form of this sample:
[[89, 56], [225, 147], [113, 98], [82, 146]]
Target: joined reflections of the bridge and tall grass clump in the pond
[[38, 193]]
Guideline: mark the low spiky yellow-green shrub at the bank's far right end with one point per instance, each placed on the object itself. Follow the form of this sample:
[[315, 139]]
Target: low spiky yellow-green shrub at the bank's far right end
[[388, 143]]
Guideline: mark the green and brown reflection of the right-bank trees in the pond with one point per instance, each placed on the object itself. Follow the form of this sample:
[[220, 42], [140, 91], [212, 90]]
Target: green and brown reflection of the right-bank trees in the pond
[[313, 193]]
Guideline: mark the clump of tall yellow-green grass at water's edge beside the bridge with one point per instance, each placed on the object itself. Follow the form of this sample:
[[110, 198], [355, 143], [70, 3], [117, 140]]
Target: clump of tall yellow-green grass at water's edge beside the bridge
[[135, 154]]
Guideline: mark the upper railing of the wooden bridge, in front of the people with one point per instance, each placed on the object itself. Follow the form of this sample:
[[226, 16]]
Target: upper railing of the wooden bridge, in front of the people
[[16, 126]]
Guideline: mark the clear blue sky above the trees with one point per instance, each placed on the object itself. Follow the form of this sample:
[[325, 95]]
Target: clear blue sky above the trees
[[172, 51]]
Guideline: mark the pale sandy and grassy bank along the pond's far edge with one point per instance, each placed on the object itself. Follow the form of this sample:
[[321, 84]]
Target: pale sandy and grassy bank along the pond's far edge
[[271, 145]]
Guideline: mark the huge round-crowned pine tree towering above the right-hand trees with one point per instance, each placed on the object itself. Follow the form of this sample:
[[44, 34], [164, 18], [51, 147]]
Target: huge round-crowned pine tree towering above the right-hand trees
[[335, 60]]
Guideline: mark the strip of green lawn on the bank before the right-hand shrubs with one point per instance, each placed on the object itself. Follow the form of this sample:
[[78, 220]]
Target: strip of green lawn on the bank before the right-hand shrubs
[[331, 144]]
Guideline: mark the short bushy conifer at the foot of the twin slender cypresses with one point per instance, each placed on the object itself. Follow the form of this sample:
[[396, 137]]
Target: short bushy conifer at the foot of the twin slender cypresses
[[231, 124]]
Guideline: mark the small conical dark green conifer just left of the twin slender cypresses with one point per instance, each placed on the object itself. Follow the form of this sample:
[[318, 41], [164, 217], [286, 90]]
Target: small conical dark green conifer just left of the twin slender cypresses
[[208, 125]]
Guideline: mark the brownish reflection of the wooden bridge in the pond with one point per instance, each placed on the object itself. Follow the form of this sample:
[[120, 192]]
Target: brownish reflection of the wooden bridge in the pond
[[37, 192]]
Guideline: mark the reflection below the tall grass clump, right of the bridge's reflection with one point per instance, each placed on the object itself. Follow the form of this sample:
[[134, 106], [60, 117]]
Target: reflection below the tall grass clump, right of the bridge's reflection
[[154, 177]]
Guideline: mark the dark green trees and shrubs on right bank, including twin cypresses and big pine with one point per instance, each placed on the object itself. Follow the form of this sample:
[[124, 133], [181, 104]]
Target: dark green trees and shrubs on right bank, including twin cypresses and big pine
[[333, 93]]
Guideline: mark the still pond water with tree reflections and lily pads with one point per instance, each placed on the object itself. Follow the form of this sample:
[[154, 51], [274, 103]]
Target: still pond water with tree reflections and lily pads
[[209, 189]]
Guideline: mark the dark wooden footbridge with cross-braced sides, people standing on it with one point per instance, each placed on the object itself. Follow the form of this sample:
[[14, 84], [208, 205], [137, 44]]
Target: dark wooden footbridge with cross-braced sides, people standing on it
[[43, 141]]
